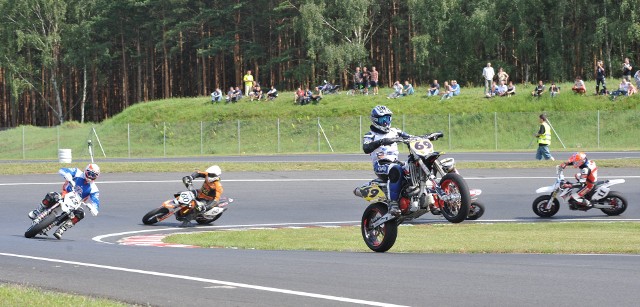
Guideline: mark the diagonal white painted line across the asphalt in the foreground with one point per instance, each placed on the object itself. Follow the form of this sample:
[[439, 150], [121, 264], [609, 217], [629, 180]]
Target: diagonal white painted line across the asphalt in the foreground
[[206, 280]]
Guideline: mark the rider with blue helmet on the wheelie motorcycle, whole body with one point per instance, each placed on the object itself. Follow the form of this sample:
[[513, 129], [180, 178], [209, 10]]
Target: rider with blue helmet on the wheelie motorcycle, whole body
[[380, 143]]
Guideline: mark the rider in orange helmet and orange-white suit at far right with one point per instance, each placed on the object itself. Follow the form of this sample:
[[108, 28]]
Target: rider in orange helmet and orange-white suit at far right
[[586, 178]]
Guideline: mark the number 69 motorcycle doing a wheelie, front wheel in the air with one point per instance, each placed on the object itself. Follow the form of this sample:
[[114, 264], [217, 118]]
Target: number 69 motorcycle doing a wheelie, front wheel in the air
[[428, 186]]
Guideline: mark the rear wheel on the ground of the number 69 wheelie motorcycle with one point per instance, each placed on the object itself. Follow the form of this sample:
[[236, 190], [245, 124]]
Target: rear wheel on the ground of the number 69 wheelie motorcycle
[[378, 239]]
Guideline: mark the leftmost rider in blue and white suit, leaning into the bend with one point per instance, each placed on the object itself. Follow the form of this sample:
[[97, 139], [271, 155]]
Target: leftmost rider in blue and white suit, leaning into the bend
[[83, 183]]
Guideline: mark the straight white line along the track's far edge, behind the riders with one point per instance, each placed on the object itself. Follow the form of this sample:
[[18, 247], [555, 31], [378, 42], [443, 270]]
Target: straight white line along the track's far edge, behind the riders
[[295, 180]]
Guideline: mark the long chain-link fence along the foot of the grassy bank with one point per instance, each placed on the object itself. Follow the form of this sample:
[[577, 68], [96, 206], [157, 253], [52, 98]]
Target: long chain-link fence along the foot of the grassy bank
[[590, 130]]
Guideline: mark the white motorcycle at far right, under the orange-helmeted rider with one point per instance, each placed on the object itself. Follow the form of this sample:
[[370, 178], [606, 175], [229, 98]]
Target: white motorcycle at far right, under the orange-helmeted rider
[[600, 197]]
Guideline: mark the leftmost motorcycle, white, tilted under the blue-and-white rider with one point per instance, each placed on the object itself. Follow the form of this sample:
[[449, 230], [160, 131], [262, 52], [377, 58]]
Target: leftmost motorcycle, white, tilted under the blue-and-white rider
[[65, 209]]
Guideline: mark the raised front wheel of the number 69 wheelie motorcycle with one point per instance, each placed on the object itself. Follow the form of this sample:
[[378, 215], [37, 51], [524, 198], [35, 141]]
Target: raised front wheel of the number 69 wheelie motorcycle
[[456, 209]]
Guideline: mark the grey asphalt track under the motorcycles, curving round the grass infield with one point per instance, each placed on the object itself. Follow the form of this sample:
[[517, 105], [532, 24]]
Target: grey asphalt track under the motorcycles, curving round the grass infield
[[89, 259]]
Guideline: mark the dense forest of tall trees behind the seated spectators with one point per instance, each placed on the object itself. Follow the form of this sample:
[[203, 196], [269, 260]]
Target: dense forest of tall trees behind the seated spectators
[[87, 60]]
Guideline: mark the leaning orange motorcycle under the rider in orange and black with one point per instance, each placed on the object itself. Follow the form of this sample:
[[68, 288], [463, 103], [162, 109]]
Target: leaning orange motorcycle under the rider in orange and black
[[183, 206]]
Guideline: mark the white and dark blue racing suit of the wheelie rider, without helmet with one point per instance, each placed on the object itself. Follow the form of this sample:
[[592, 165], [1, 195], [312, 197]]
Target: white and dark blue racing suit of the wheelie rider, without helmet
[[383, 150]]
